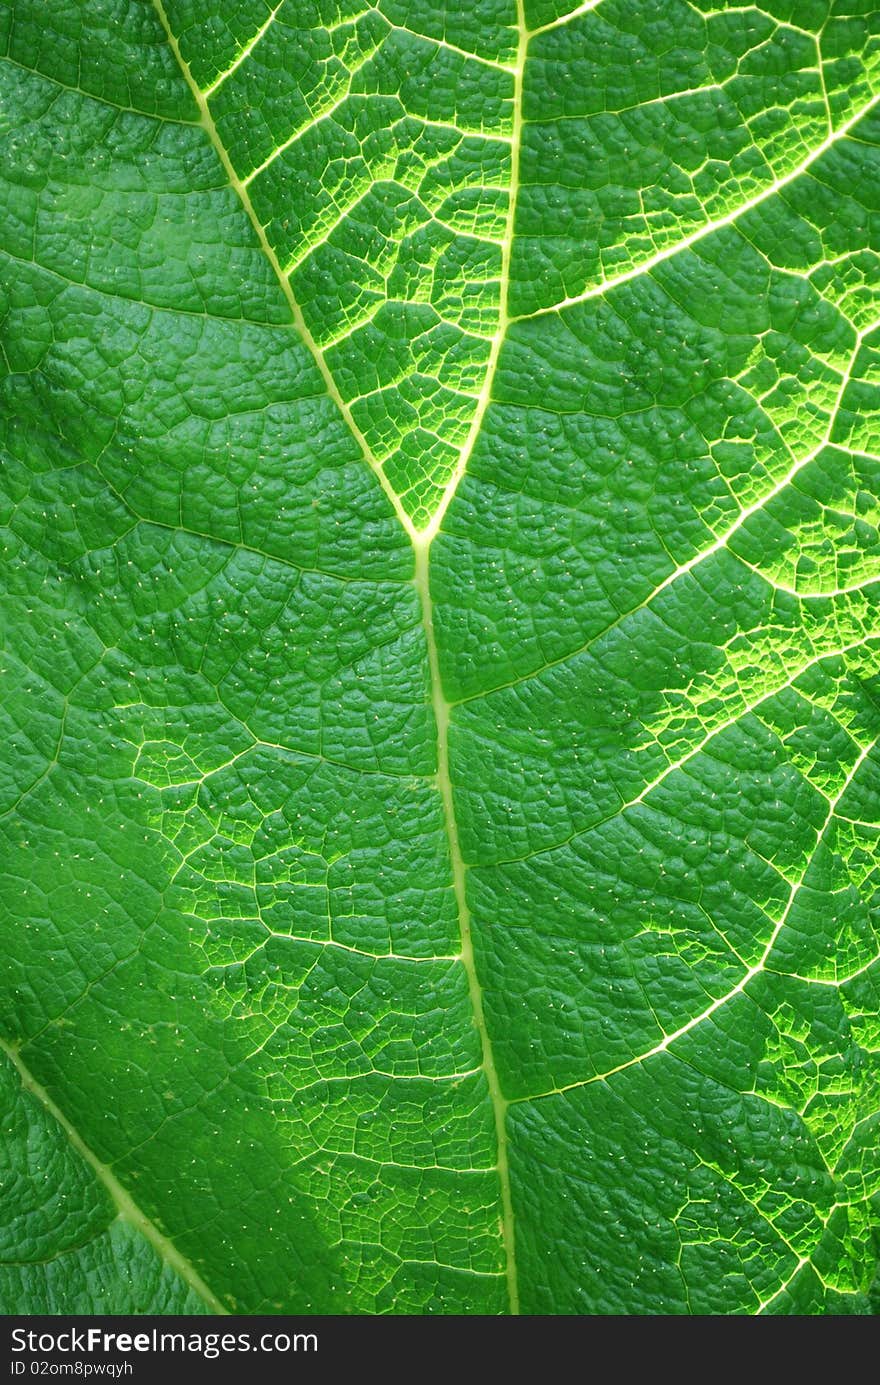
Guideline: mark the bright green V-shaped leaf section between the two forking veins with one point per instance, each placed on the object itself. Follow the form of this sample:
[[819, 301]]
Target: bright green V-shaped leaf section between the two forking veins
[[400, 265]]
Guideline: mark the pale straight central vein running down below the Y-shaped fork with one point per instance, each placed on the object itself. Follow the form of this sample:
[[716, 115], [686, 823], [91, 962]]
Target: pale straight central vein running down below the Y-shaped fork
[[459, 870]]
